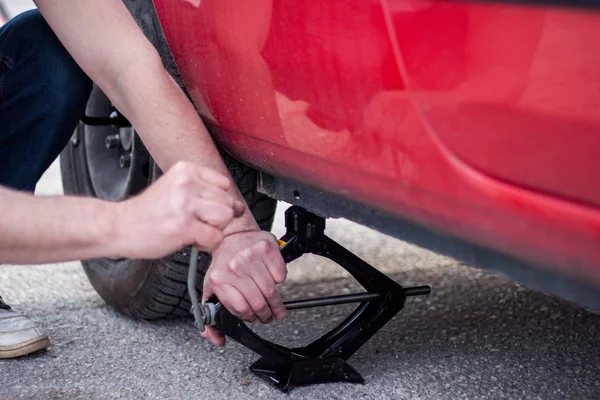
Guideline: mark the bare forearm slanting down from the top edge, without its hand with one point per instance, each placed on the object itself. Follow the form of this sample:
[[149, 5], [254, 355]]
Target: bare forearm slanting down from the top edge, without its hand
[[106, 42]]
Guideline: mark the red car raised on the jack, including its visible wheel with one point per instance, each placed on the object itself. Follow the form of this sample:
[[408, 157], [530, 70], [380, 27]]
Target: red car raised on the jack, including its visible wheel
[[468, 128]]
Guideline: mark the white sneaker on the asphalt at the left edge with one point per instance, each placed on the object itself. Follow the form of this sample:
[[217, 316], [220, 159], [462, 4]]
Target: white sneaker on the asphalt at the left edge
[[19, 335]]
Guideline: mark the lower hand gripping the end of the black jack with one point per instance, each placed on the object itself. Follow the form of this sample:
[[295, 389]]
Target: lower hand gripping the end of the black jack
[[245, 270]]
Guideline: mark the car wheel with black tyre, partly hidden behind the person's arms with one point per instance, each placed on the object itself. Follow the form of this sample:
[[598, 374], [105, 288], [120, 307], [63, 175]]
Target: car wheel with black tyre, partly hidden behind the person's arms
[[111, 163]]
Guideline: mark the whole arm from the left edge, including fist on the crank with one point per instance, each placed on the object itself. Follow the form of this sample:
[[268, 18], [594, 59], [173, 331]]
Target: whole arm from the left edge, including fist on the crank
[[186, 206]]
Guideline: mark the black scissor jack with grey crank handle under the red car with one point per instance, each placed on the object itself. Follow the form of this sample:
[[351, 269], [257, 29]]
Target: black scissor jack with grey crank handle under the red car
[[323, 360]]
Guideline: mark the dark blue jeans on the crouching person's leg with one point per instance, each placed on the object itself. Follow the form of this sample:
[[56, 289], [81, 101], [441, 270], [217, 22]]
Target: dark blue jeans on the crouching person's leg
[[43, 94]]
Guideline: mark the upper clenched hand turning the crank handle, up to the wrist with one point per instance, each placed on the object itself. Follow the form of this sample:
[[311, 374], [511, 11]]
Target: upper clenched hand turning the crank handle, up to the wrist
[[189, 205]]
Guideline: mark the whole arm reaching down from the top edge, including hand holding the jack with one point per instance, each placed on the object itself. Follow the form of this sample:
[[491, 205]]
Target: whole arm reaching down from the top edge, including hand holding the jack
[[106, 42]]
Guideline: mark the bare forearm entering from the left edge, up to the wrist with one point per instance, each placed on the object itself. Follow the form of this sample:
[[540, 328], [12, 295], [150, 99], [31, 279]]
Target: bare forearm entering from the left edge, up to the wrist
[[52, 229]]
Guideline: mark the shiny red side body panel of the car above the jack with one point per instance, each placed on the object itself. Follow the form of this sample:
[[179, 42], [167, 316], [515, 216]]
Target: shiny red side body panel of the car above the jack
[[478, 120]]
